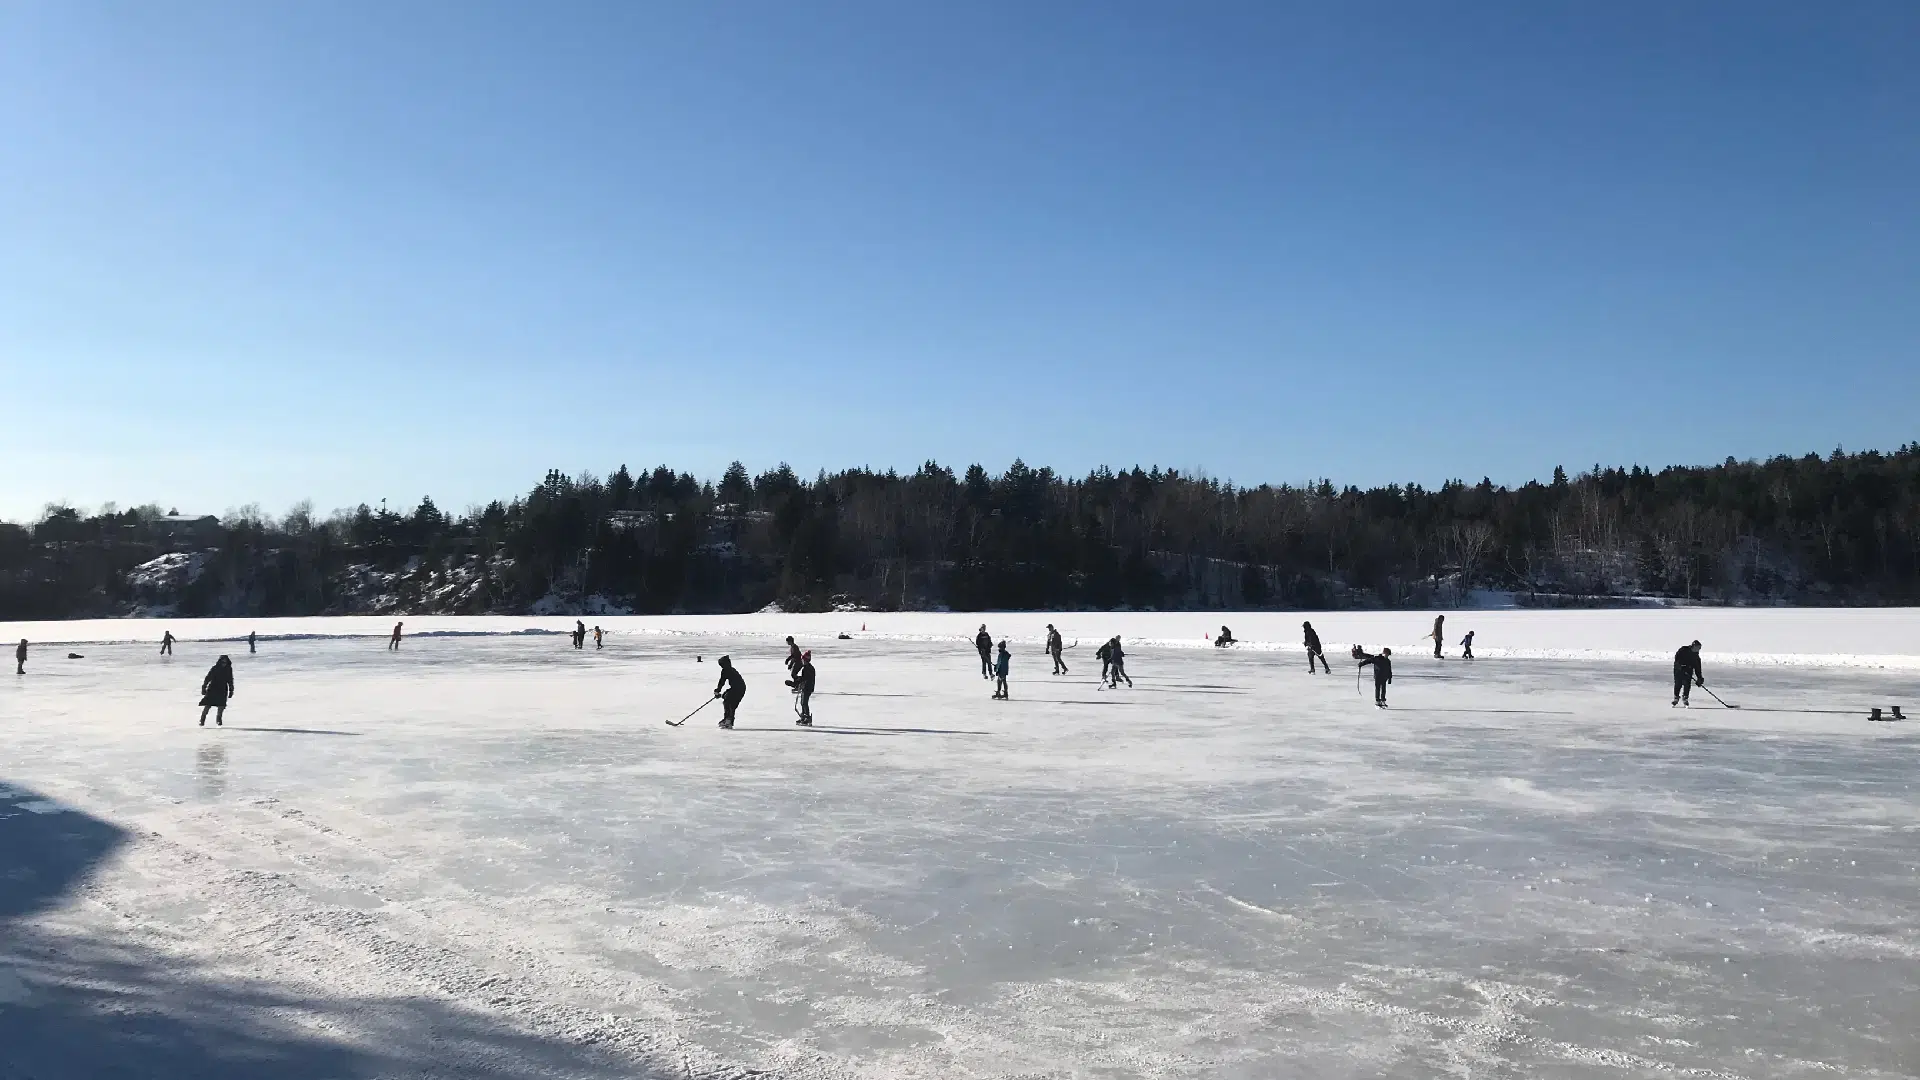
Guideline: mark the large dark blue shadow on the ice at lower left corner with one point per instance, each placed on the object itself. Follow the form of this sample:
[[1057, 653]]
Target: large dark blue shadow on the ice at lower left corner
[[97, 1006]]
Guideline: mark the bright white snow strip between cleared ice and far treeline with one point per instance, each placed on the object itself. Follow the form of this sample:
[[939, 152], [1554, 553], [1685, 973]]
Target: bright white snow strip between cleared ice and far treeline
[[1825, 637]]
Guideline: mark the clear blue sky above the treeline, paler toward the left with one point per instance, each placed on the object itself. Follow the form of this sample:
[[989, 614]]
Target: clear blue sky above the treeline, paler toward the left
[[262, 253]]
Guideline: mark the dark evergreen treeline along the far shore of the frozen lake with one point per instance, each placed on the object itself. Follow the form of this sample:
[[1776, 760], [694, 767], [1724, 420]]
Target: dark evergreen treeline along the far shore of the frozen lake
[[1838, 529]]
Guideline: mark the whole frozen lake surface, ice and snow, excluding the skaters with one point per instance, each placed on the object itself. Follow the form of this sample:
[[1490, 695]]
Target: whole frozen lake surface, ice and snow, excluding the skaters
[[487, 856]]
